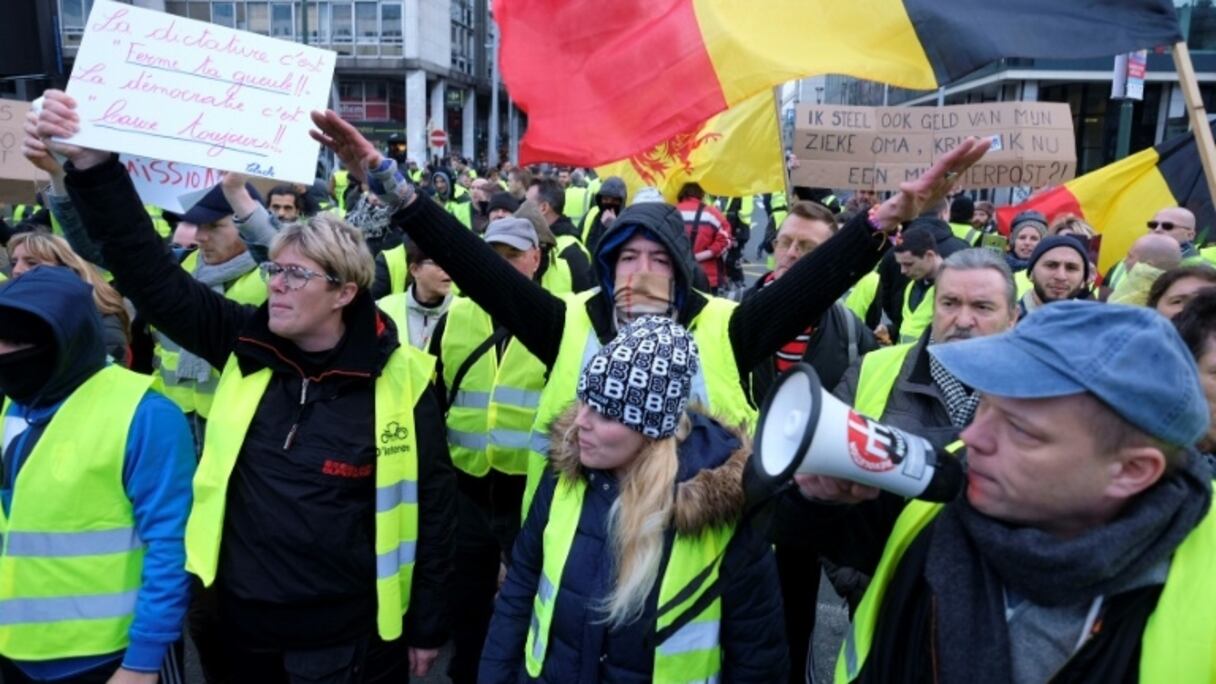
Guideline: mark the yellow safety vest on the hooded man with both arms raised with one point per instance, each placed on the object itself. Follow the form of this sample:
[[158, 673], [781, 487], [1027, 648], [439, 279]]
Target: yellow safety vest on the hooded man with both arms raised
[[717, 384]]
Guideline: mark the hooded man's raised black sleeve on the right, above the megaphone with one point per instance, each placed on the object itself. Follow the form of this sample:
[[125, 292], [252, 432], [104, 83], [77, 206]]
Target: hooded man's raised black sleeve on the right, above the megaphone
[[784, 310]]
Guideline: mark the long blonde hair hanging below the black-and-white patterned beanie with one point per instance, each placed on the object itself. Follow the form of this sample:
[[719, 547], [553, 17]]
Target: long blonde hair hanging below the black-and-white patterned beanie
[[638, 524]]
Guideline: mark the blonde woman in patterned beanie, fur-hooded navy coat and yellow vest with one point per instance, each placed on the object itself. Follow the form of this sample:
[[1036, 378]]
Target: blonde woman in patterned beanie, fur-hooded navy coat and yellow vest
[[630, 567]]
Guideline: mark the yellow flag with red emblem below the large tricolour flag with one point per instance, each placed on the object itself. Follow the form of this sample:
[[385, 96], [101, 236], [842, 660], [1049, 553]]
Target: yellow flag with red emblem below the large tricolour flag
[[735, 154]]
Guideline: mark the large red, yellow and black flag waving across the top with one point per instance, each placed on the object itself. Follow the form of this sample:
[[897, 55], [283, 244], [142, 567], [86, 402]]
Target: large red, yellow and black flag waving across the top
[[605, 80]]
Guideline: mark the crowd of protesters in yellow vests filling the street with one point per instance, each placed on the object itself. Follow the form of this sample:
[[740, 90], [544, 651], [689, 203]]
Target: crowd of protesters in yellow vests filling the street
[[510, 412]]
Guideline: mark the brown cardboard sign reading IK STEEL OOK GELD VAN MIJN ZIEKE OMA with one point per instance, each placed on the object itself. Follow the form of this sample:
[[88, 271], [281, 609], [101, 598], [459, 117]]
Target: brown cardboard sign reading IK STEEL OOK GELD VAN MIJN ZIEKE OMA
[[881, 148]]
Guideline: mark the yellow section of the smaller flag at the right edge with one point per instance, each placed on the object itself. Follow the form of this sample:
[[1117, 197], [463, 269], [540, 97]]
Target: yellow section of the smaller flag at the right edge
[[1119, 199]]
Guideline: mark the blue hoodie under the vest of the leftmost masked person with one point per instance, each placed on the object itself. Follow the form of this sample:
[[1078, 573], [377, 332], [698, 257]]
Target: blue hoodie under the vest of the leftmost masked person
[[157, 469]]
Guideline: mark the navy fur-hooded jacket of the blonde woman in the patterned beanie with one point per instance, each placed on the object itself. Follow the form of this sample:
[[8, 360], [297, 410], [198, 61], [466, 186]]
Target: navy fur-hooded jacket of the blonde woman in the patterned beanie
[[582, 648]]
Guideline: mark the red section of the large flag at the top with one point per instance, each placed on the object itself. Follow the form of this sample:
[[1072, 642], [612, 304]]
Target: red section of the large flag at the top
[[605, 81]]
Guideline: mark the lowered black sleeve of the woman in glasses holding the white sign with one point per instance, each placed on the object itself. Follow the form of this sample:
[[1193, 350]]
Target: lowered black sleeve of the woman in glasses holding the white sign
[[429, 621]]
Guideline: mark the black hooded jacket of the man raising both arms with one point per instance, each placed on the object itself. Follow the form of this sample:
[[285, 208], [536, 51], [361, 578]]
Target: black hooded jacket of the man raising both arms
[[758, 327]]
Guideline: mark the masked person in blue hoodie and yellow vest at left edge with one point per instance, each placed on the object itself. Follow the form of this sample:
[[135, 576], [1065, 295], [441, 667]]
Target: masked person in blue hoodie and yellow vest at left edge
[[95, 496]]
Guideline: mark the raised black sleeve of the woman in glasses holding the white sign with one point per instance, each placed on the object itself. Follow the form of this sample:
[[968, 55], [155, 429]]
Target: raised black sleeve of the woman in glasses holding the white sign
[[145, 272]]
